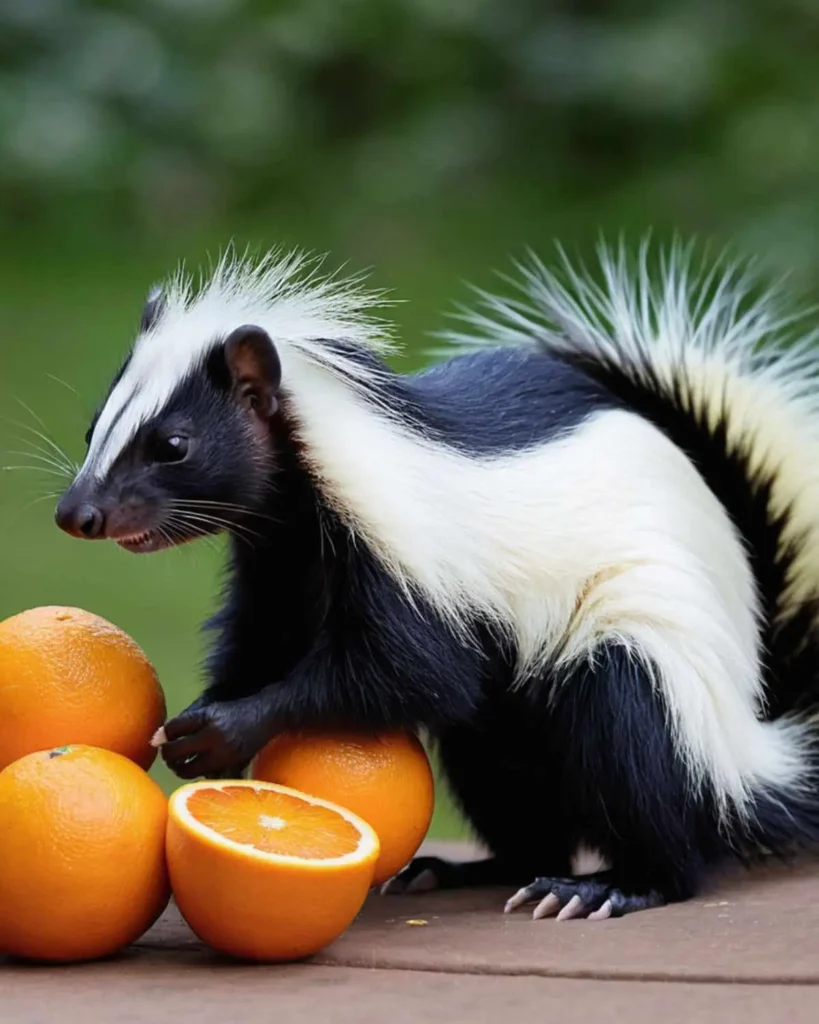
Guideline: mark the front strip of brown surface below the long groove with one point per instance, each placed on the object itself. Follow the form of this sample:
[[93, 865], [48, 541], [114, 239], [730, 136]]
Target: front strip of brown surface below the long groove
[[126, 995]]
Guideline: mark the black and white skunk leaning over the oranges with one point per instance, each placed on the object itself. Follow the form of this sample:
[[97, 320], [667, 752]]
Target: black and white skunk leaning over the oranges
[[582, 553]]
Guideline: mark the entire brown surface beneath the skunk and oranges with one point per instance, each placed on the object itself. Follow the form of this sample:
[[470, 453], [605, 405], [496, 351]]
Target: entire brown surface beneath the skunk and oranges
[[750, 948]]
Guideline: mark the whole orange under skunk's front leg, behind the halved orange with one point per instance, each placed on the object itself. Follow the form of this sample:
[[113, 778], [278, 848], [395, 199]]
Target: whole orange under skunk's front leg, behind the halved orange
[[386, 780]]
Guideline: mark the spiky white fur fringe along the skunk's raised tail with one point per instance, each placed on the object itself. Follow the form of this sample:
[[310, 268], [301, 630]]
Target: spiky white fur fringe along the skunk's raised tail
[[703, 329]]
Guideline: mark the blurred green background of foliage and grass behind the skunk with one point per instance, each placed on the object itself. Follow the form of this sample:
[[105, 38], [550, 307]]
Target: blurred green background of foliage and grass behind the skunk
[[430, 141]]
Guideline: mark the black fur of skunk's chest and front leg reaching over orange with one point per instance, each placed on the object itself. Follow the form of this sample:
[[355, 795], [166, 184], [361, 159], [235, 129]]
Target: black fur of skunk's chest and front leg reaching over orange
[[349, 651]]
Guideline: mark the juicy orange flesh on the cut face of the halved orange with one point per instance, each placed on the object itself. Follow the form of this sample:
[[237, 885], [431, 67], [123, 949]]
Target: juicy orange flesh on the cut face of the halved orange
[[275, 823]]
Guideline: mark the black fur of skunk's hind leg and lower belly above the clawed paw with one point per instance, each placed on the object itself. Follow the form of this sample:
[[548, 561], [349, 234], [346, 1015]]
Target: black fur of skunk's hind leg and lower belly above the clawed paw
[[596, 766]]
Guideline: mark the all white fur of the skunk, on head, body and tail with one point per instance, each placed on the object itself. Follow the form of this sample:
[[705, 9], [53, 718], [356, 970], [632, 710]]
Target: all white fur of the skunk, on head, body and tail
[[608, 534]]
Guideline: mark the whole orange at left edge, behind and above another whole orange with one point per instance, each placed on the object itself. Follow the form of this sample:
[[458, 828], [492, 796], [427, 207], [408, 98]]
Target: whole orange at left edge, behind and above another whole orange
[[68, 676]]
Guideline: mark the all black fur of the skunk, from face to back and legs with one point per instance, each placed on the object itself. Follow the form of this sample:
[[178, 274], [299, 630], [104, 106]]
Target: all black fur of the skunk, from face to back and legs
[[314, 632]]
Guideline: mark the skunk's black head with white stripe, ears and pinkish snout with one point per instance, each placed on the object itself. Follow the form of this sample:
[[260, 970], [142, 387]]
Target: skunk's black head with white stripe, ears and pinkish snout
[[184, 446]]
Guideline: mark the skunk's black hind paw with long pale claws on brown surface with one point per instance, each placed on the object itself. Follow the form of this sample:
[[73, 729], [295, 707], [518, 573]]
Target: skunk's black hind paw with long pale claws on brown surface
[[593, 898]]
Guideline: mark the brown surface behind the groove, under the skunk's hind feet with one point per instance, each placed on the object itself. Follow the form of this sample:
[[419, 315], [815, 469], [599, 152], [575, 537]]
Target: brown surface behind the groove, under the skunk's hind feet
[[760, 926]]
